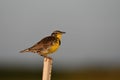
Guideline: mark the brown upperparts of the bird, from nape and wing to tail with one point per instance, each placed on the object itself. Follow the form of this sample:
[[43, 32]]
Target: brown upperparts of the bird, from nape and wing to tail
[[42, 45]]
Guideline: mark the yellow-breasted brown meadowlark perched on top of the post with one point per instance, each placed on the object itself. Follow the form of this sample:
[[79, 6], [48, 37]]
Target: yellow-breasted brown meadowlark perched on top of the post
[[47, 45]]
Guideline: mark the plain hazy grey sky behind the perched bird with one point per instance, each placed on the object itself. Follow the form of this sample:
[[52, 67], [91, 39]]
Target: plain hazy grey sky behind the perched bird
[[92, 32]]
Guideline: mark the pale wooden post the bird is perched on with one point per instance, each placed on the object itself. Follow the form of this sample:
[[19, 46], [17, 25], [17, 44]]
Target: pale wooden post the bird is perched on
[[47, 68]]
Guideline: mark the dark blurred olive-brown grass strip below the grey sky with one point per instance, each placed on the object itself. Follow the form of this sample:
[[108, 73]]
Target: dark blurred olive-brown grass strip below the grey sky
[[80, 74]]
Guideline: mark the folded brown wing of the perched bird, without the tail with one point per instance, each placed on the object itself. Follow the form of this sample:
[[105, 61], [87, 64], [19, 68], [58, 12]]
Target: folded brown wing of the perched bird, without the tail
[[45, 43]]
